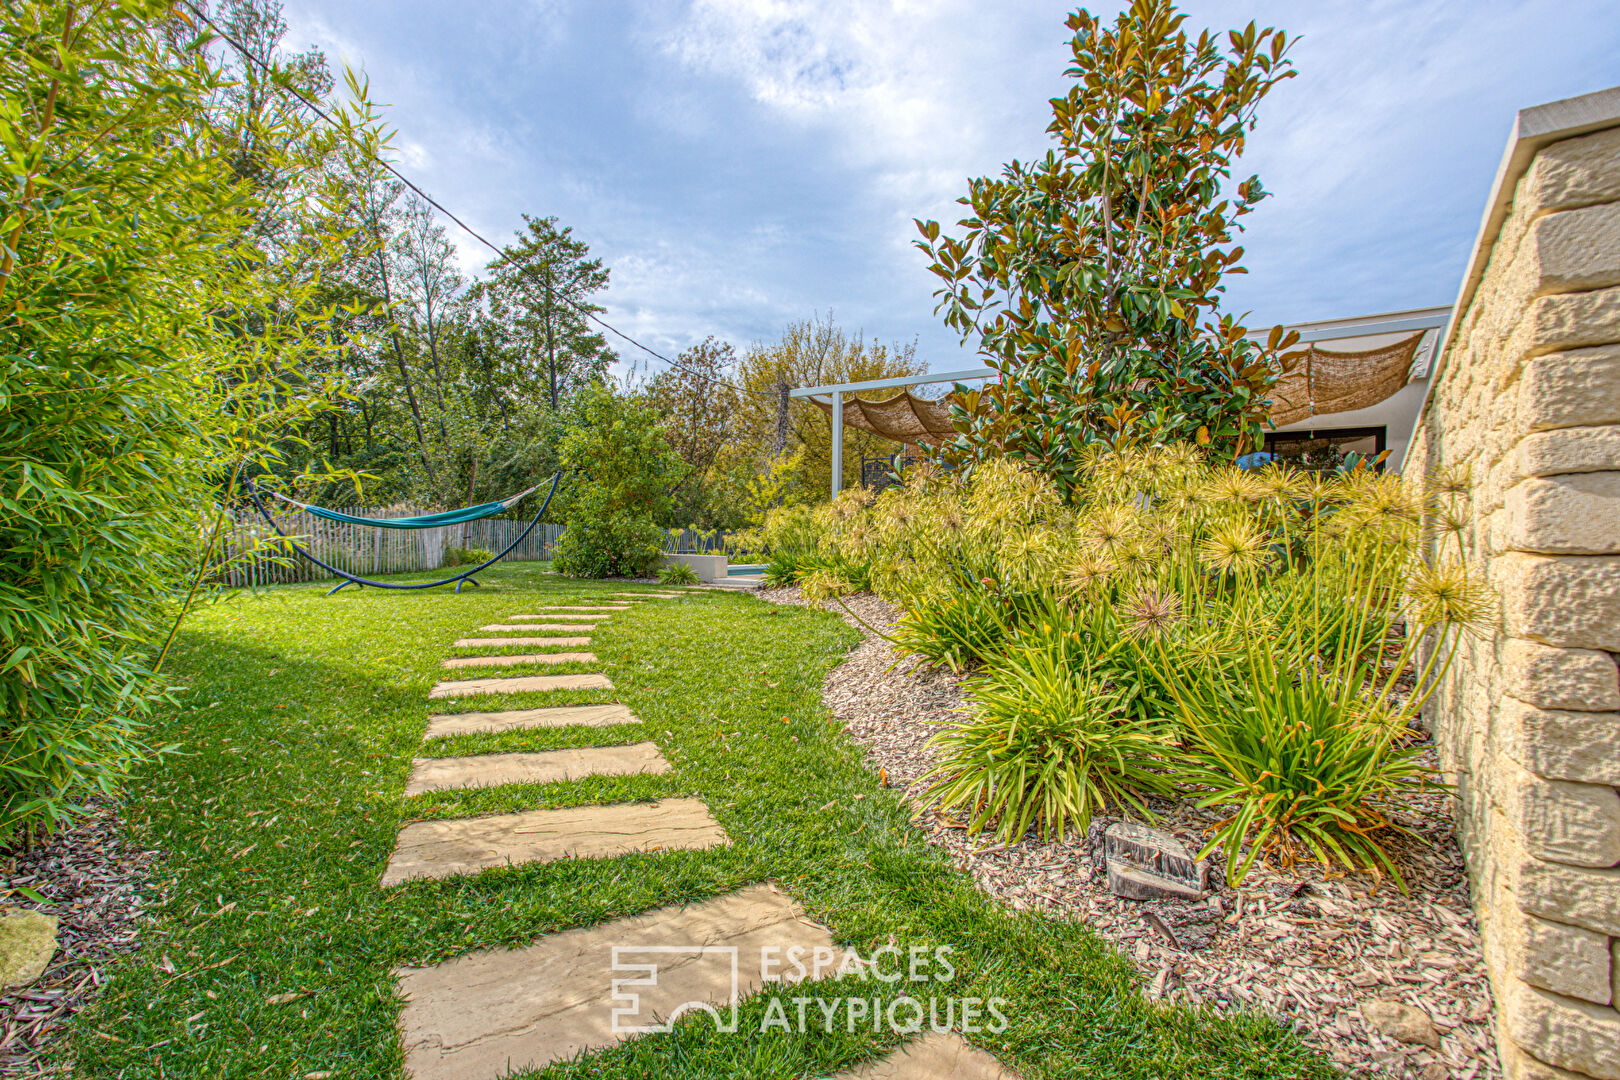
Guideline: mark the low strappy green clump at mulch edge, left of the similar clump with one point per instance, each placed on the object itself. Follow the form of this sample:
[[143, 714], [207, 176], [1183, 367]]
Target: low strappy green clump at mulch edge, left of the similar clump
[[1046, 747]]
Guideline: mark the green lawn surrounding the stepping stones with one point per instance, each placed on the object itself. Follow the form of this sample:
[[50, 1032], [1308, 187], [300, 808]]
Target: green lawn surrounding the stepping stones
[[279, 809]]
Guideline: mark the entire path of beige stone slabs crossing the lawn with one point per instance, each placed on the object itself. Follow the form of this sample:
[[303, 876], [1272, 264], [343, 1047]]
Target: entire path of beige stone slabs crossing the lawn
[[487, 1014]]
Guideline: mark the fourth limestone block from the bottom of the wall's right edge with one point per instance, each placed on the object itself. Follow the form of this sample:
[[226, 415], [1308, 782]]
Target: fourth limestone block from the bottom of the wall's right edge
[[1562, 822]]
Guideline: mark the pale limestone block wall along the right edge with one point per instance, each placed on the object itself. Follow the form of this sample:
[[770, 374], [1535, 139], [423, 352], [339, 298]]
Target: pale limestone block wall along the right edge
[[1528, 723]]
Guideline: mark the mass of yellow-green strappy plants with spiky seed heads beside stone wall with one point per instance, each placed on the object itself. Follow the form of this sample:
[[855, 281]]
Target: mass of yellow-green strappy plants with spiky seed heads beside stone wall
[[1285, 627]]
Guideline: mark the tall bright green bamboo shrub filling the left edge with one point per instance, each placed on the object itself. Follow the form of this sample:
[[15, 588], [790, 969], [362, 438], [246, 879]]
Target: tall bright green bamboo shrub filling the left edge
[[151, 346]]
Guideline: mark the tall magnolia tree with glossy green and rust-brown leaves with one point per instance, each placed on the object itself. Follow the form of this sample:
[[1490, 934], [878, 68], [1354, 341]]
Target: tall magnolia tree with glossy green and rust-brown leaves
[[1093, 276]]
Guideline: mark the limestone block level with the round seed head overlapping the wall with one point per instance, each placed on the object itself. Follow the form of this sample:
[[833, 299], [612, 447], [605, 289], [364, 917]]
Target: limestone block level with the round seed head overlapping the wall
[[1571, 602]]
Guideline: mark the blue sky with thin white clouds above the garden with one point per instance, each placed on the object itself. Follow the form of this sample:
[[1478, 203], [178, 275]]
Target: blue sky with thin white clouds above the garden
[[741, 164]]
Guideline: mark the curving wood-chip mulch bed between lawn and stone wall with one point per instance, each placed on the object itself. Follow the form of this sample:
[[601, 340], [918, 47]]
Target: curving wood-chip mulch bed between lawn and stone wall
[[1303, 946]]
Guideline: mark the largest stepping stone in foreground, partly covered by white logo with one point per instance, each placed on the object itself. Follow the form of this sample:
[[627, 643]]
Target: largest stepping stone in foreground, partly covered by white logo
[[487, 1014]]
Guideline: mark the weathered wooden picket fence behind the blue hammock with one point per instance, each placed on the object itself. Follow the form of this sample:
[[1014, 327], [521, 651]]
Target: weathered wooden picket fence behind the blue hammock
[[362, 550]]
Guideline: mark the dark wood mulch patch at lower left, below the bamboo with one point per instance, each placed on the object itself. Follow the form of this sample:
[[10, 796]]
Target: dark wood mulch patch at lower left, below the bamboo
[[92, 882]]
